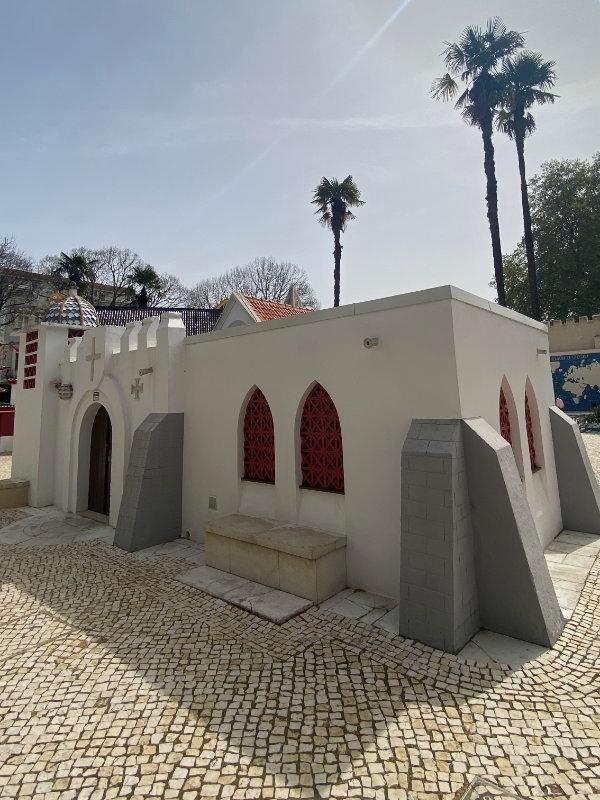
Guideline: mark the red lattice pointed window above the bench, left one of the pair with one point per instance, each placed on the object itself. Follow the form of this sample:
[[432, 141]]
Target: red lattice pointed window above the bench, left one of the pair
[[259, 440]]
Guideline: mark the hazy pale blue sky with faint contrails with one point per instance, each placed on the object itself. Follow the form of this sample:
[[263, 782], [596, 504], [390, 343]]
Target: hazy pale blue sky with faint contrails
[[196, 132]]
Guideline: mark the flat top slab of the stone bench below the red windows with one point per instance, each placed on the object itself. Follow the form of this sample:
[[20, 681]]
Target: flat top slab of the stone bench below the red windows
[[295, 540]]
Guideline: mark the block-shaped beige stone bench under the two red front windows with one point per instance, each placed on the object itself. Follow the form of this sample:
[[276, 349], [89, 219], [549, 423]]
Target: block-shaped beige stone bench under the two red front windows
[[302, 561]]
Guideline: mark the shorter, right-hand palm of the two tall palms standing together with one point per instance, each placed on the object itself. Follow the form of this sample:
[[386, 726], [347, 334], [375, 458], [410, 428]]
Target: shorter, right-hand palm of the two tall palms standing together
[[525, 79]]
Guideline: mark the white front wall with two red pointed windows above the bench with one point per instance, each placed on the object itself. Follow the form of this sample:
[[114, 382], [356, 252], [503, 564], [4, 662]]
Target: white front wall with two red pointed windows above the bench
[[377, 393]]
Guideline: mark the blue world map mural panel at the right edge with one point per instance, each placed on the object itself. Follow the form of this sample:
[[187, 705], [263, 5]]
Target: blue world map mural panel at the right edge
[[577, 381]]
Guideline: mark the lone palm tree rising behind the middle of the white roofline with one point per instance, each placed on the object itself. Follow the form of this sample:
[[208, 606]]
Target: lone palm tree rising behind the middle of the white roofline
[[334, 199]]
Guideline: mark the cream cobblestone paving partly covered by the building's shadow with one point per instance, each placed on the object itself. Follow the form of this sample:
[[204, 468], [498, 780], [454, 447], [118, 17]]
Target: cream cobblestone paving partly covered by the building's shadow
[[117, 681]]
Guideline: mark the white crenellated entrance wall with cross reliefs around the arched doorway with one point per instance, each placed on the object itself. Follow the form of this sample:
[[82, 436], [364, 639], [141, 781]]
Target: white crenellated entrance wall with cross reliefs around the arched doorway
[[53, 436]]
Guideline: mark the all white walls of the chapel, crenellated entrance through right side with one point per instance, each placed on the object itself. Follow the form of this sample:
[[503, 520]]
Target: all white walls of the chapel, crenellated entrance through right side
[[442, 354]]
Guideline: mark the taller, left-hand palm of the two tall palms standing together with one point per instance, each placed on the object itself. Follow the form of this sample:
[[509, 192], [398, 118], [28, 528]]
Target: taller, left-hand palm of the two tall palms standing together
[[473, 63]]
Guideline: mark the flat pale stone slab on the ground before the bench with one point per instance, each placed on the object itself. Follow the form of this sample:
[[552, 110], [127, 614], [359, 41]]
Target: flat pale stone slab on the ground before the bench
[[270, 604]]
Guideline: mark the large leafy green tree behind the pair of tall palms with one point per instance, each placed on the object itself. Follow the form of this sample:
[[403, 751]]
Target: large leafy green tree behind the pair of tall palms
[[565, 211]]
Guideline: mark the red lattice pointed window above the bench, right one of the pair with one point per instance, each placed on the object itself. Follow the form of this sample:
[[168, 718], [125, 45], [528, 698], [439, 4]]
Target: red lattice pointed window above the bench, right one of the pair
[[321, 443]]
